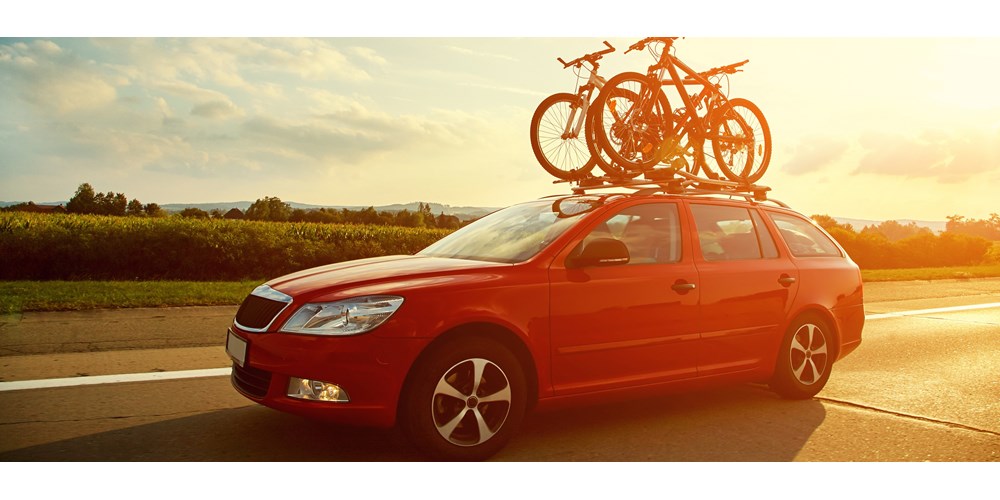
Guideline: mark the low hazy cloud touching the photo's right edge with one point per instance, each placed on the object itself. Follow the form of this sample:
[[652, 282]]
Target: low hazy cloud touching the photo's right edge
[[942, 156]]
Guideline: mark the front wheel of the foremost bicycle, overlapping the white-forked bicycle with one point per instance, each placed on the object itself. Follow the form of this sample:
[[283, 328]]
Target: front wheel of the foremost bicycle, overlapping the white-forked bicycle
[[631, 120]]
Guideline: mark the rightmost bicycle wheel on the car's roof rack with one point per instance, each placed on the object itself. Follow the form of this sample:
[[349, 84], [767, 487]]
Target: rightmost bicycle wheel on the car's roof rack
[[741, 140]]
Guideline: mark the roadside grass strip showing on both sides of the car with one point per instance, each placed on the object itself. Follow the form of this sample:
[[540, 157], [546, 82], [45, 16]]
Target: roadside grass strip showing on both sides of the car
[[25, 296]]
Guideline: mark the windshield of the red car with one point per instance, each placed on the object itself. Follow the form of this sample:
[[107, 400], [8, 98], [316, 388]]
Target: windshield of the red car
[[513, 234]]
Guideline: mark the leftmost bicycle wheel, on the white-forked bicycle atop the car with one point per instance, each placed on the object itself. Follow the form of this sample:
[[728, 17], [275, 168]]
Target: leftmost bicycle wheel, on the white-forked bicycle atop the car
[[560, 153]]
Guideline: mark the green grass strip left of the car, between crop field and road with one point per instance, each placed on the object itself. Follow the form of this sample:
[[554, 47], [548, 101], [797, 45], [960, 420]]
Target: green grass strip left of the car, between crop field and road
[[22, 296]]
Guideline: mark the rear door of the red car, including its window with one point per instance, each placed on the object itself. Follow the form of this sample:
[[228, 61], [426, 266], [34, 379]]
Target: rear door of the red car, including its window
[[746, 286]]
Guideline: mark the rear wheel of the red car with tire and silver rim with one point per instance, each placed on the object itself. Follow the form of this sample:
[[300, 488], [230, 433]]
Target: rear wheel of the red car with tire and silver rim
[[805, 359]]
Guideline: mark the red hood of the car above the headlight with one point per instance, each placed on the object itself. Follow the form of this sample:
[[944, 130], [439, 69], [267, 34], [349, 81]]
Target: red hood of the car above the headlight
[[372, 275]]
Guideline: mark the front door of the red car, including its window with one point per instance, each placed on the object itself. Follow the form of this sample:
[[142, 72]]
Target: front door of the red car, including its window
[[627, 324]]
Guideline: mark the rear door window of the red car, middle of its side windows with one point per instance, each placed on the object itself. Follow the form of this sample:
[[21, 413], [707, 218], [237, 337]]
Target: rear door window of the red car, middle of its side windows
[[731, 233]]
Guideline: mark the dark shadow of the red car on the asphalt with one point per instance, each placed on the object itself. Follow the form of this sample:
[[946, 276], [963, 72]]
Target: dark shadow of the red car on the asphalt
[[742, 423]]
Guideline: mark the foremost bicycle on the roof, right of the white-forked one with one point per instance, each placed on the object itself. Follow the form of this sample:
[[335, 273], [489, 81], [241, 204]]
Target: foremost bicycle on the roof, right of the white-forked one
[[641, 134]]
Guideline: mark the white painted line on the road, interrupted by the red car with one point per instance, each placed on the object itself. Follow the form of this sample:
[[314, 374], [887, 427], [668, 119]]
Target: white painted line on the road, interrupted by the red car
[[219, 372]]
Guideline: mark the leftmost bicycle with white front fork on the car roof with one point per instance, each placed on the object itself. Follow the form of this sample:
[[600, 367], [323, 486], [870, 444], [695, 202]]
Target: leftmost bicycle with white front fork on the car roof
[[558, 121]]
